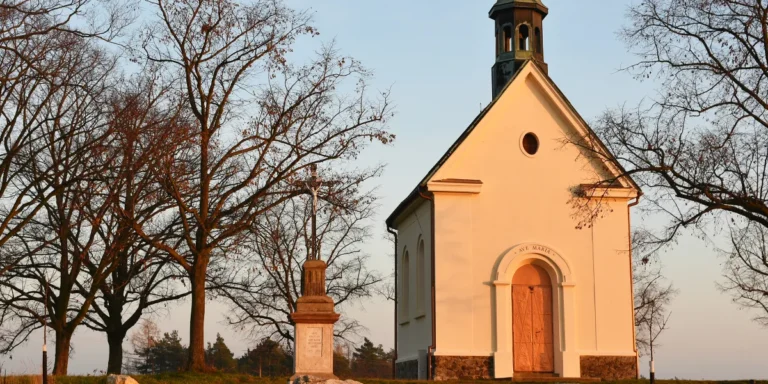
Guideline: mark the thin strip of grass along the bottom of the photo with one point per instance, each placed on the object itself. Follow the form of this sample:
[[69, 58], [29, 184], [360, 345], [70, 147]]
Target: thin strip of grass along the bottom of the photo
[[222, 378]]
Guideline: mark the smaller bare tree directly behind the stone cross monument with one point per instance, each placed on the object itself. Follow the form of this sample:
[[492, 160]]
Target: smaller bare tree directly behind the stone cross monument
[[264, 292]]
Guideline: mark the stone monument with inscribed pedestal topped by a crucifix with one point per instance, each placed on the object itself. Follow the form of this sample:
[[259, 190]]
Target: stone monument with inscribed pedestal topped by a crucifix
[[314, 316]]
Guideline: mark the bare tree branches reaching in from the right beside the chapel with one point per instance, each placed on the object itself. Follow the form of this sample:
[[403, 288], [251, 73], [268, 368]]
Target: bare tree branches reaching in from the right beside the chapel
[[699, 149]]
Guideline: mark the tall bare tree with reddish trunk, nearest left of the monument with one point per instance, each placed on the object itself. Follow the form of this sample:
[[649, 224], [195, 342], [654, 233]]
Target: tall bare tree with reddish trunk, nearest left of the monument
[[258, 122]]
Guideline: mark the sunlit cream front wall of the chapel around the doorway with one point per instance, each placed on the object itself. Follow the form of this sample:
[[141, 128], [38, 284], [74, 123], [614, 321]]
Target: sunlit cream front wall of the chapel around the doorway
[[525, 199]]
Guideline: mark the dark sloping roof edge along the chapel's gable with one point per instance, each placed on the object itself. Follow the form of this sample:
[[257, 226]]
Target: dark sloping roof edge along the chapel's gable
[[422, 184]]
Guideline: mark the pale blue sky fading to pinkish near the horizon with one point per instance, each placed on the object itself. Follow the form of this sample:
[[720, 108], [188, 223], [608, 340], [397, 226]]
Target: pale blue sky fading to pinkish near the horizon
[[436, 58]]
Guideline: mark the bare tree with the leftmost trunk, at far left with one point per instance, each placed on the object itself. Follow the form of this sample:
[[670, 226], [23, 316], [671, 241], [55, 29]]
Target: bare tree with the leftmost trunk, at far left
[[59, 243]]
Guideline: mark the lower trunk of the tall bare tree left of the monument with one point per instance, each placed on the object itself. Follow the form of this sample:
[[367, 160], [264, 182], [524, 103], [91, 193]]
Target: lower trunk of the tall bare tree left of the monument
[[196, 362]]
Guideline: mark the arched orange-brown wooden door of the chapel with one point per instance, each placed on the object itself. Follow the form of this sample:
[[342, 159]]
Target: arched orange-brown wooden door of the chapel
[[532, 330]]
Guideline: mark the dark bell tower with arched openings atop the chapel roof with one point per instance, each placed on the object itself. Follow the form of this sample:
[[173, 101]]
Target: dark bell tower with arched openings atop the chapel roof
[[519, 37]]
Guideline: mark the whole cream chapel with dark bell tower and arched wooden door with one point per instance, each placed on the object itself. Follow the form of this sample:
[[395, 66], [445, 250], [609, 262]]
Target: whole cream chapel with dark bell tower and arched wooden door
[[494, 277]]
